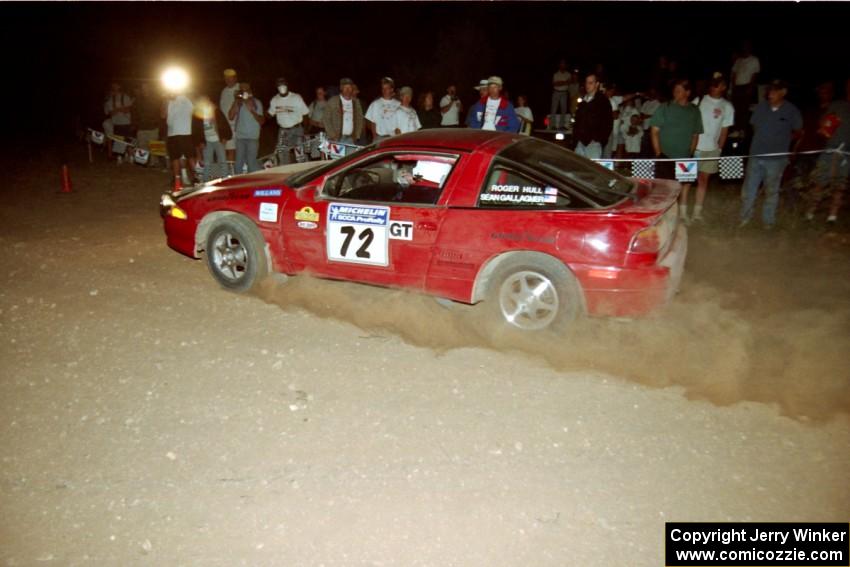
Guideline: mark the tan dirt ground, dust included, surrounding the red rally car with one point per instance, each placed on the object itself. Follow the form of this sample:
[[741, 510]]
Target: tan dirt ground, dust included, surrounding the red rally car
[[149, 418]]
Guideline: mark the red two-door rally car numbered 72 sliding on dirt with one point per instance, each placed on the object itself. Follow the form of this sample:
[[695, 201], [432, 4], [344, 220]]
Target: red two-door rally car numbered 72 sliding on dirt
[[535, 232]]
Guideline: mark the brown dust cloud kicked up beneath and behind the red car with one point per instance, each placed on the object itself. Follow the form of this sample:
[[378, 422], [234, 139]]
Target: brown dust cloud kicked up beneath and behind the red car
[[760, 317]]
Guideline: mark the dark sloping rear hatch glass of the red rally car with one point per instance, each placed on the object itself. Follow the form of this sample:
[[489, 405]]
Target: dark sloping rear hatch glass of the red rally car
[[601, 185]]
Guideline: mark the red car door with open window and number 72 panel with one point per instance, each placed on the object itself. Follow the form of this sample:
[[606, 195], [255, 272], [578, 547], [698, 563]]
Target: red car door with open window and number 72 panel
[[376, 221]]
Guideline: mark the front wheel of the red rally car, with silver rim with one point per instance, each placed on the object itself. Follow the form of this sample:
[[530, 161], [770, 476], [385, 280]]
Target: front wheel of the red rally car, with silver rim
[[235, 254]]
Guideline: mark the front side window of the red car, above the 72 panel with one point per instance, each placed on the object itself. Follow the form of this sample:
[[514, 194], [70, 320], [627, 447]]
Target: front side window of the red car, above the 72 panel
[[393, 179]]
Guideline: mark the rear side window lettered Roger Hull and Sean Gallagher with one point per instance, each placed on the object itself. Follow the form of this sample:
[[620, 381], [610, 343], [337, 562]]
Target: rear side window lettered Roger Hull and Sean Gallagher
[[506, 188]]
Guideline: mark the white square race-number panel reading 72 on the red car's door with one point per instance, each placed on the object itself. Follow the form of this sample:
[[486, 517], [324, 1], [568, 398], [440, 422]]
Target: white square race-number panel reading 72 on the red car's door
[[358, 234]]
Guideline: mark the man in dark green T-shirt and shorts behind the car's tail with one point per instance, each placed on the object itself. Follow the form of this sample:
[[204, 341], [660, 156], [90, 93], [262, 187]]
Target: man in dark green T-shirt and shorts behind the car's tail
[[675, 128]]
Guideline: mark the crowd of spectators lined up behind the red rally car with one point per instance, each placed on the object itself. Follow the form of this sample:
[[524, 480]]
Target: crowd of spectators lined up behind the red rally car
[[671, 119]]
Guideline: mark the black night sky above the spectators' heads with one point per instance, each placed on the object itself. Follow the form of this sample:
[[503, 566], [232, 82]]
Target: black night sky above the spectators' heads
[[63, 56]]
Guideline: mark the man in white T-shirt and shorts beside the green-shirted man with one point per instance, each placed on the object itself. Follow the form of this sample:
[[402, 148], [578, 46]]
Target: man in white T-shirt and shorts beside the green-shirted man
[[718, 115]]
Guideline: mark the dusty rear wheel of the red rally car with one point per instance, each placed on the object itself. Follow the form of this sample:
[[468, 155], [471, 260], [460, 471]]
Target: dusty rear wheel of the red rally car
[[559, 304]]
